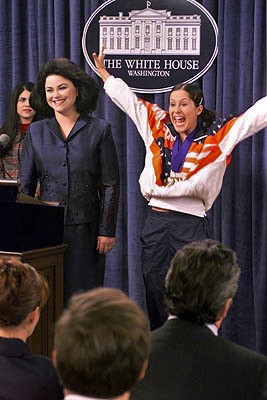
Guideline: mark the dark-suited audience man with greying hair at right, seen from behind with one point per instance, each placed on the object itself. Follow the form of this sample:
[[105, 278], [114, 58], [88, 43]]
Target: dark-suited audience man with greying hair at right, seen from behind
[[188, 359]]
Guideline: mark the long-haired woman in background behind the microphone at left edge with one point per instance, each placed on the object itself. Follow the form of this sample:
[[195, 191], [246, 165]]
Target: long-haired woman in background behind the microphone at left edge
[[19, 116]]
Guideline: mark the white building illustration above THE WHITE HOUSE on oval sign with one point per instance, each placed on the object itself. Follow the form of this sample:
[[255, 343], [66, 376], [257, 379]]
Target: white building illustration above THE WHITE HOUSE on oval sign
[[150, 31]]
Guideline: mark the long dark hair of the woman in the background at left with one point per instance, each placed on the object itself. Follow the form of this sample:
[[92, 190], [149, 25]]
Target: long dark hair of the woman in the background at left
[[11, 124]]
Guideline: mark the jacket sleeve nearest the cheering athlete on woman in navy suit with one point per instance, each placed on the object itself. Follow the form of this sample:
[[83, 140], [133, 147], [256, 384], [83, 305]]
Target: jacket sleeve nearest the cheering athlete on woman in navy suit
[[109, 190]]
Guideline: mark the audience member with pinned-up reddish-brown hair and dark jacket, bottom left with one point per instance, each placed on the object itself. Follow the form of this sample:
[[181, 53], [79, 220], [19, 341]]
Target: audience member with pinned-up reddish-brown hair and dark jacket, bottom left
[[24, 376]]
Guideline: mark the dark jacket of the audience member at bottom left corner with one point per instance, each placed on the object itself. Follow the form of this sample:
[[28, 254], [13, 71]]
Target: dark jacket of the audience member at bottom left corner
[[26, 376]]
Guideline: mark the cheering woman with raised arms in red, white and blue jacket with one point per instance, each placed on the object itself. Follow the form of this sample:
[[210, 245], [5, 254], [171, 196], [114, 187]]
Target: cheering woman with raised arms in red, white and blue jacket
[[187, 152]]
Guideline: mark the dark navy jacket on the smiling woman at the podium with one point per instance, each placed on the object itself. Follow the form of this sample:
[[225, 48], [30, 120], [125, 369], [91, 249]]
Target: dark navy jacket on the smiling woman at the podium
[[81, 172]]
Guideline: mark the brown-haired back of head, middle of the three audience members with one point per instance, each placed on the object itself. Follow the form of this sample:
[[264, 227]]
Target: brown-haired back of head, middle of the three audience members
[[101, 343]]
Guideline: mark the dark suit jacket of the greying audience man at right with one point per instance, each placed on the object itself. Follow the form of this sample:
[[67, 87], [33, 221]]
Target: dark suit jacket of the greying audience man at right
[[188, 362]]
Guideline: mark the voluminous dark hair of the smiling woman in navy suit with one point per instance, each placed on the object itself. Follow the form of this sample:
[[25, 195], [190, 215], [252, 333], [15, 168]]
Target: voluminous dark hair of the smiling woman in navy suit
[[88, 90]]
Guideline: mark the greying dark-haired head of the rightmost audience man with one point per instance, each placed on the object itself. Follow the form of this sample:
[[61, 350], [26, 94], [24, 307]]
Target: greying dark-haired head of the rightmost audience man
[[203, 275]]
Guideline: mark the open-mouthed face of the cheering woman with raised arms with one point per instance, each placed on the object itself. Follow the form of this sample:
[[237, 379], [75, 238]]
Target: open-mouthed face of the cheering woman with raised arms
[[183, 112]]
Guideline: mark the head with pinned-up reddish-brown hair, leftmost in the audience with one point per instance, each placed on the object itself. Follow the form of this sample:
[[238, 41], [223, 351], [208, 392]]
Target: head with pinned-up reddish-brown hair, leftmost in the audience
[[23, 292]]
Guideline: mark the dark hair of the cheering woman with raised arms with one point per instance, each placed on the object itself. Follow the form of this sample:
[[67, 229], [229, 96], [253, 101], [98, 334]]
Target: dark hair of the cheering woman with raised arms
[[207, 117]]
